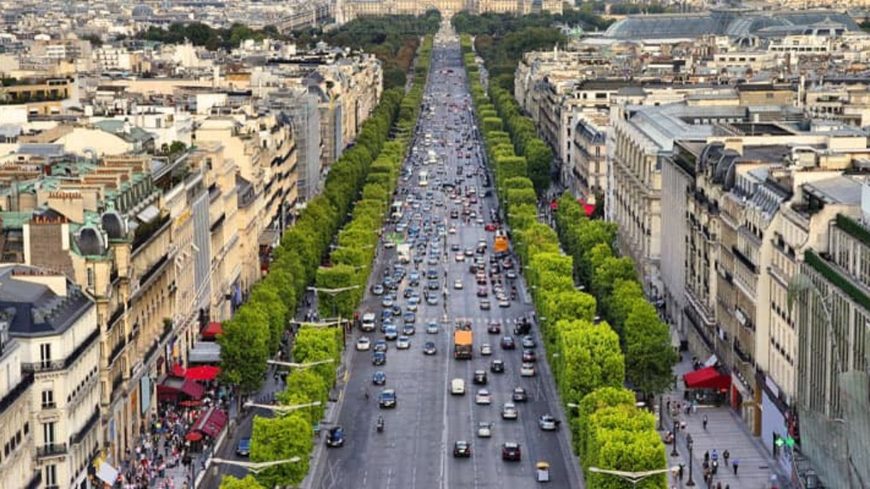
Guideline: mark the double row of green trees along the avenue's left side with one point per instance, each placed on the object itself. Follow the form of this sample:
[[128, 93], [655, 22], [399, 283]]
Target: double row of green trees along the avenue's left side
[[359, 186]]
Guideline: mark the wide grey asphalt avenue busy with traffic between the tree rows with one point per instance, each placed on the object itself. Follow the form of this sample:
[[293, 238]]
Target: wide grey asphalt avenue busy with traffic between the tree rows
[[416, 448]]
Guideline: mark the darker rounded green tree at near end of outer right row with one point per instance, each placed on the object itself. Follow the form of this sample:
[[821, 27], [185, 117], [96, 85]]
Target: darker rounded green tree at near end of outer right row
[[650, 358]]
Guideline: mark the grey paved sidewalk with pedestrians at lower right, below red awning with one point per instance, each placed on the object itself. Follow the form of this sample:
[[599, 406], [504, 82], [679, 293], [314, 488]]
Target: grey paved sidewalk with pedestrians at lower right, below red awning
[[725, 431]]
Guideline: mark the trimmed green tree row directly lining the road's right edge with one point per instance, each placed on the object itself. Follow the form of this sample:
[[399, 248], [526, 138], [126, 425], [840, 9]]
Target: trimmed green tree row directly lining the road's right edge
[[586, 357]]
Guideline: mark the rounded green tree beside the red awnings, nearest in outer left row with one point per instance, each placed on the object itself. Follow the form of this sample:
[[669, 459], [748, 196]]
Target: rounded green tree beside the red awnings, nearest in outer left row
[[245, 349]]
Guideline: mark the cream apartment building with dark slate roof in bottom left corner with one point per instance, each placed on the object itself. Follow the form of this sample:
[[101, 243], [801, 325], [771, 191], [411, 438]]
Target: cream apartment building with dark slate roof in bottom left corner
[[55, 325]]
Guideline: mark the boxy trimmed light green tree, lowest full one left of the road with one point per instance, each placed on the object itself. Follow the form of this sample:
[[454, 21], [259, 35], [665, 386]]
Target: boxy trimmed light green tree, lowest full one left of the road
[[281, 438]]
